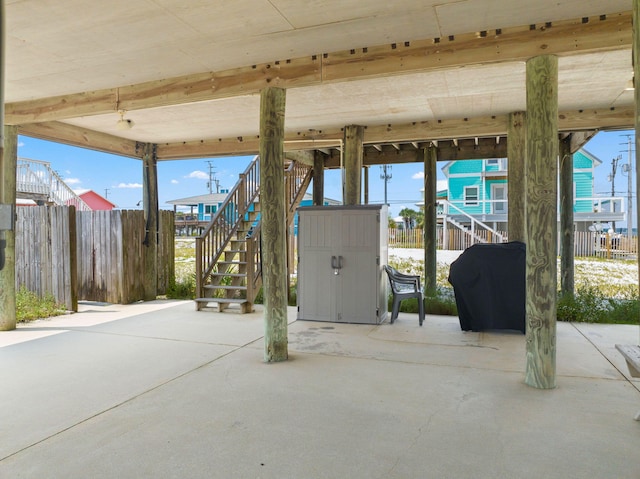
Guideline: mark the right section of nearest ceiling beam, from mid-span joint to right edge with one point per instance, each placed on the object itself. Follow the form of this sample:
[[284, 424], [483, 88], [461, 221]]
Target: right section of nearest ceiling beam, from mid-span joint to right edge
[[503, 45]]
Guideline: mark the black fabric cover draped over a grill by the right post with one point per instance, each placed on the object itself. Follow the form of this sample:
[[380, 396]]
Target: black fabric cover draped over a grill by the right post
[[489, 284]]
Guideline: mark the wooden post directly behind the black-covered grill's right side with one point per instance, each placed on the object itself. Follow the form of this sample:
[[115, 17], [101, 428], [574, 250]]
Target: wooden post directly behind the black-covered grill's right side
[[516, 154]]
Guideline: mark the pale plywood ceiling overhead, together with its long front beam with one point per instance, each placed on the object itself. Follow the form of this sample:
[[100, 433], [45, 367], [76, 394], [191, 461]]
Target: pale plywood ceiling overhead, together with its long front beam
[[62, 55]]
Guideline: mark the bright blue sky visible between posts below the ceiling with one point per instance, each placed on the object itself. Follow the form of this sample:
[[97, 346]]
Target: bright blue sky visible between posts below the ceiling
[[120, 179]]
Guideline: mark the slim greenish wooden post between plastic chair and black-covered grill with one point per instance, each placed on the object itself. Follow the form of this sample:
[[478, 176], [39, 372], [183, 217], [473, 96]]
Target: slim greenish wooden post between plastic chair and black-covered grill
[[430, 219]]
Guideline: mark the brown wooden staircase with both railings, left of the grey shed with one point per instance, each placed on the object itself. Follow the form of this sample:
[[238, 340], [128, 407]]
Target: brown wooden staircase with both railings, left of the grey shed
[[228, 256]]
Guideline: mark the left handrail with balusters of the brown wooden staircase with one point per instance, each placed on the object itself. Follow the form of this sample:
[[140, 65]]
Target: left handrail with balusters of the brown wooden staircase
[[210, 245]]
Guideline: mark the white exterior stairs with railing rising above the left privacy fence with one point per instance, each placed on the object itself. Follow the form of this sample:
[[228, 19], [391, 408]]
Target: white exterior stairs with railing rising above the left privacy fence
[[35, 180]]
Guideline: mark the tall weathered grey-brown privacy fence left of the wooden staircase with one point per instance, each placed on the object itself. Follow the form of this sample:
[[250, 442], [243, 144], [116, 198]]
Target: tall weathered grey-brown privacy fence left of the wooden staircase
[[94, 256]]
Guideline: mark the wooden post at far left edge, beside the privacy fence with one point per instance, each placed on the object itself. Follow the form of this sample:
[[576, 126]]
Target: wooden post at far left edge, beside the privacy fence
[[8, 162]]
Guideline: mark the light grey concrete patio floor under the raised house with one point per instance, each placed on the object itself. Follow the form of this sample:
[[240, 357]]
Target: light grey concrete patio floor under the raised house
[[158, 390]]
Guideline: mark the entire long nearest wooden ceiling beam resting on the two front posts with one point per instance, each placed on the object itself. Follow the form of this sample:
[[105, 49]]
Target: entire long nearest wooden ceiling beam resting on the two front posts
[[512, 44]]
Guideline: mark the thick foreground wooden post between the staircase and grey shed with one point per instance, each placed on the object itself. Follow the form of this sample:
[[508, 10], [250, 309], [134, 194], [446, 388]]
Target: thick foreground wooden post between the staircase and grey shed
[[274, 248]]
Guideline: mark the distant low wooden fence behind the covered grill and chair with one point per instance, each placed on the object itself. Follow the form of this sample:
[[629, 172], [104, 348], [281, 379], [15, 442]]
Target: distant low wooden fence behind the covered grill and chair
[[586, 243]]
